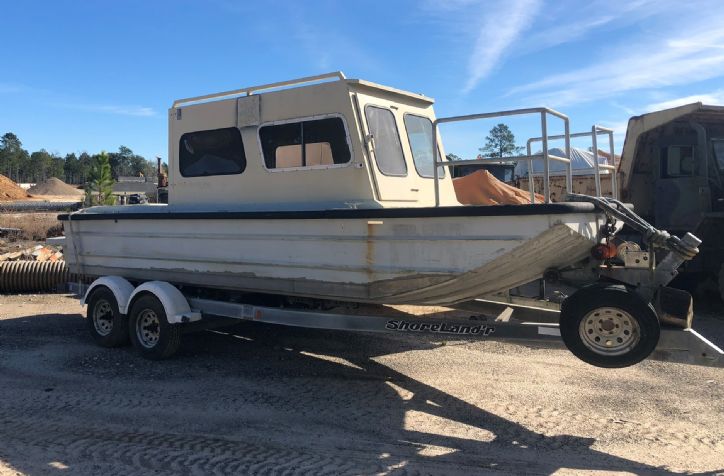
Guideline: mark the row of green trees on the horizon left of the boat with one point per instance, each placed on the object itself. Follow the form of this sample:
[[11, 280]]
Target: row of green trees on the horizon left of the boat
[[25, 167]]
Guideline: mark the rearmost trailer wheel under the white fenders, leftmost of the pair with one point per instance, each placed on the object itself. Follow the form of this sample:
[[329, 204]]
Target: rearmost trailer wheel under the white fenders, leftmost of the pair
[[107, 326]]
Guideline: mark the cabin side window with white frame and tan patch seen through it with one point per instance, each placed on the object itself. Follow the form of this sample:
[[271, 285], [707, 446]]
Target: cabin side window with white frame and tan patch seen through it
[[311, 143]]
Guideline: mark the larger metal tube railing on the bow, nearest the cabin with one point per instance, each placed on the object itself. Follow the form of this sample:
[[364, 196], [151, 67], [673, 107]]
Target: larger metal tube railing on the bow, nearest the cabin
[[544, 155]]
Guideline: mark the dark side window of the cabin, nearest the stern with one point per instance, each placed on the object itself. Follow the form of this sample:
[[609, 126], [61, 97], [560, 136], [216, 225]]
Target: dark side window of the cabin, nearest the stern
[[214, 152]]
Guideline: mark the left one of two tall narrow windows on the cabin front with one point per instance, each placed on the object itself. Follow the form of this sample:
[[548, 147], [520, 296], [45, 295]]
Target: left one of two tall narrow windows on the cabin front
[[387, 145]]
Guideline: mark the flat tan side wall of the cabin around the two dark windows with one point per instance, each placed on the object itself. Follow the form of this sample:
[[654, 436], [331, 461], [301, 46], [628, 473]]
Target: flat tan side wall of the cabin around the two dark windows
[[257, 184]]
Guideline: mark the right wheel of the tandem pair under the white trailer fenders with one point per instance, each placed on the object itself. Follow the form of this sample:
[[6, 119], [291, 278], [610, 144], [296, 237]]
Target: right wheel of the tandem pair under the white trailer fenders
[[151, 334]]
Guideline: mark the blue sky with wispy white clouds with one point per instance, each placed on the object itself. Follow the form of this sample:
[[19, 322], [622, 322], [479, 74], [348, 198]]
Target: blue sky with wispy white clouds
[[91, 76]]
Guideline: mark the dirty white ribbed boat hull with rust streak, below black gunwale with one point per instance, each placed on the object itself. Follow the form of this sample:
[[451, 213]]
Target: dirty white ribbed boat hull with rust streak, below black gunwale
[[395, 260]]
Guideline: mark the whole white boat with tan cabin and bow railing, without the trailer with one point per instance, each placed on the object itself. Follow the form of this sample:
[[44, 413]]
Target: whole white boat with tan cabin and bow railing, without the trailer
[[329, 188]]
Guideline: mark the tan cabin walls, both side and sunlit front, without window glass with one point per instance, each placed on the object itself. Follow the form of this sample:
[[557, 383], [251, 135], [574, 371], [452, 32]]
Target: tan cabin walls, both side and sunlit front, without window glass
[[358, 182]]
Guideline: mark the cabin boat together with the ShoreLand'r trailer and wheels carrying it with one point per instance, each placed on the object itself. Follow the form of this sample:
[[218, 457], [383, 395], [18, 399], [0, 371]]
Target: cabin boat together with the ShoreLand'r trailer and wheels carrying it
[[290, 199]]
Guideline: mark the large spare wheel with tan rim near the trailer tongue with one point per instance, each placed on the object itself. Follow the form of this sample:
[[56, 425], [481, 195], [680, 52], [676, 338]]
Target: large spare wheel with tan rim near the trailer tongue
[[609, 326]]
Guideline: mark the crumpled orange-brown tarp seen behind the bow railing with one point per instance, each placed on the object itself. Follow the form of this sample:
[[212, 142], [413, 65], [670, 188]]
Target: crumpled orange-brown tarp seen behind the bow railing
[[482, 188]]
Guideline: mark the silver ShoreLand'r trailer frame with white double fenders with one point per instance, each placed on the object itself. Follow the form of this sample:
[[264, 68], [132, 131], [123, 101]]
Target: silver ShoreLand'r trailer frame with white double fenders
[[486, 320]]
